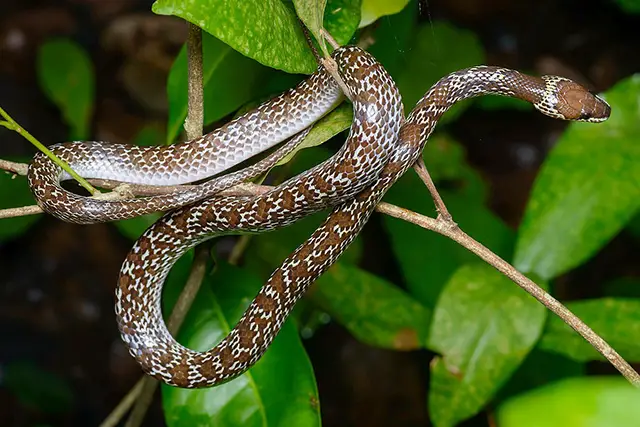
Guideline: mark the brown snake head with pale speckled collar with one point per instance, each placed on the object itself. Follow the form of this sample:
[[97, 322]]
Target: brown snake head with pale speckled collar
[[571, 101]]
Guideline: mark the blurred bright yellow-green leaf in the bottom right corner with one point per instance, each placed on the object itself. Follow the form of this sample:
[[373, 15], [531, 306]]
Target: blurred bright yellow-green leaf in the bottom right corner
[[579, 402]]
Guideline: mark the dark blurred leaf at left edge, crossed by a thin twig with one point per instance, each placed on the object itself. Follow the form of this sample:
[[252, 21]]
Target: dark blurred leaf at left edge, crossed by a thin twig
[[14, 193]]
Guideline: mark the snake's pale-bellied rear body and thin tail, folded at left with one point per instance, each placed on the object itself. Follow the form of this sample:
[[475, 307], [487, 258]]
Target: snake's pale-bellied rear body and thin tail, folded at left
[[283, 117]]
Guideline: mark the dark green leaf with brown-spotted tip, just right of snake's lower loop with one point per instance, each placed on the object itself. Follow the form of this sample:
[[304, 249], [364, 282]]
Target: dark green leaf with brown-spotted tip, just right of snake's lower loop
[[372, 309]]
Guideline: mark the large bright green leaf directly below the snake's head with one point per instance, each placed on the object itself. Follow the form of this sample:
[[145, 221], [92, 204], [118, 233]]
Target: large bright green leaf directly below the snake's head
[[587, 190]]
